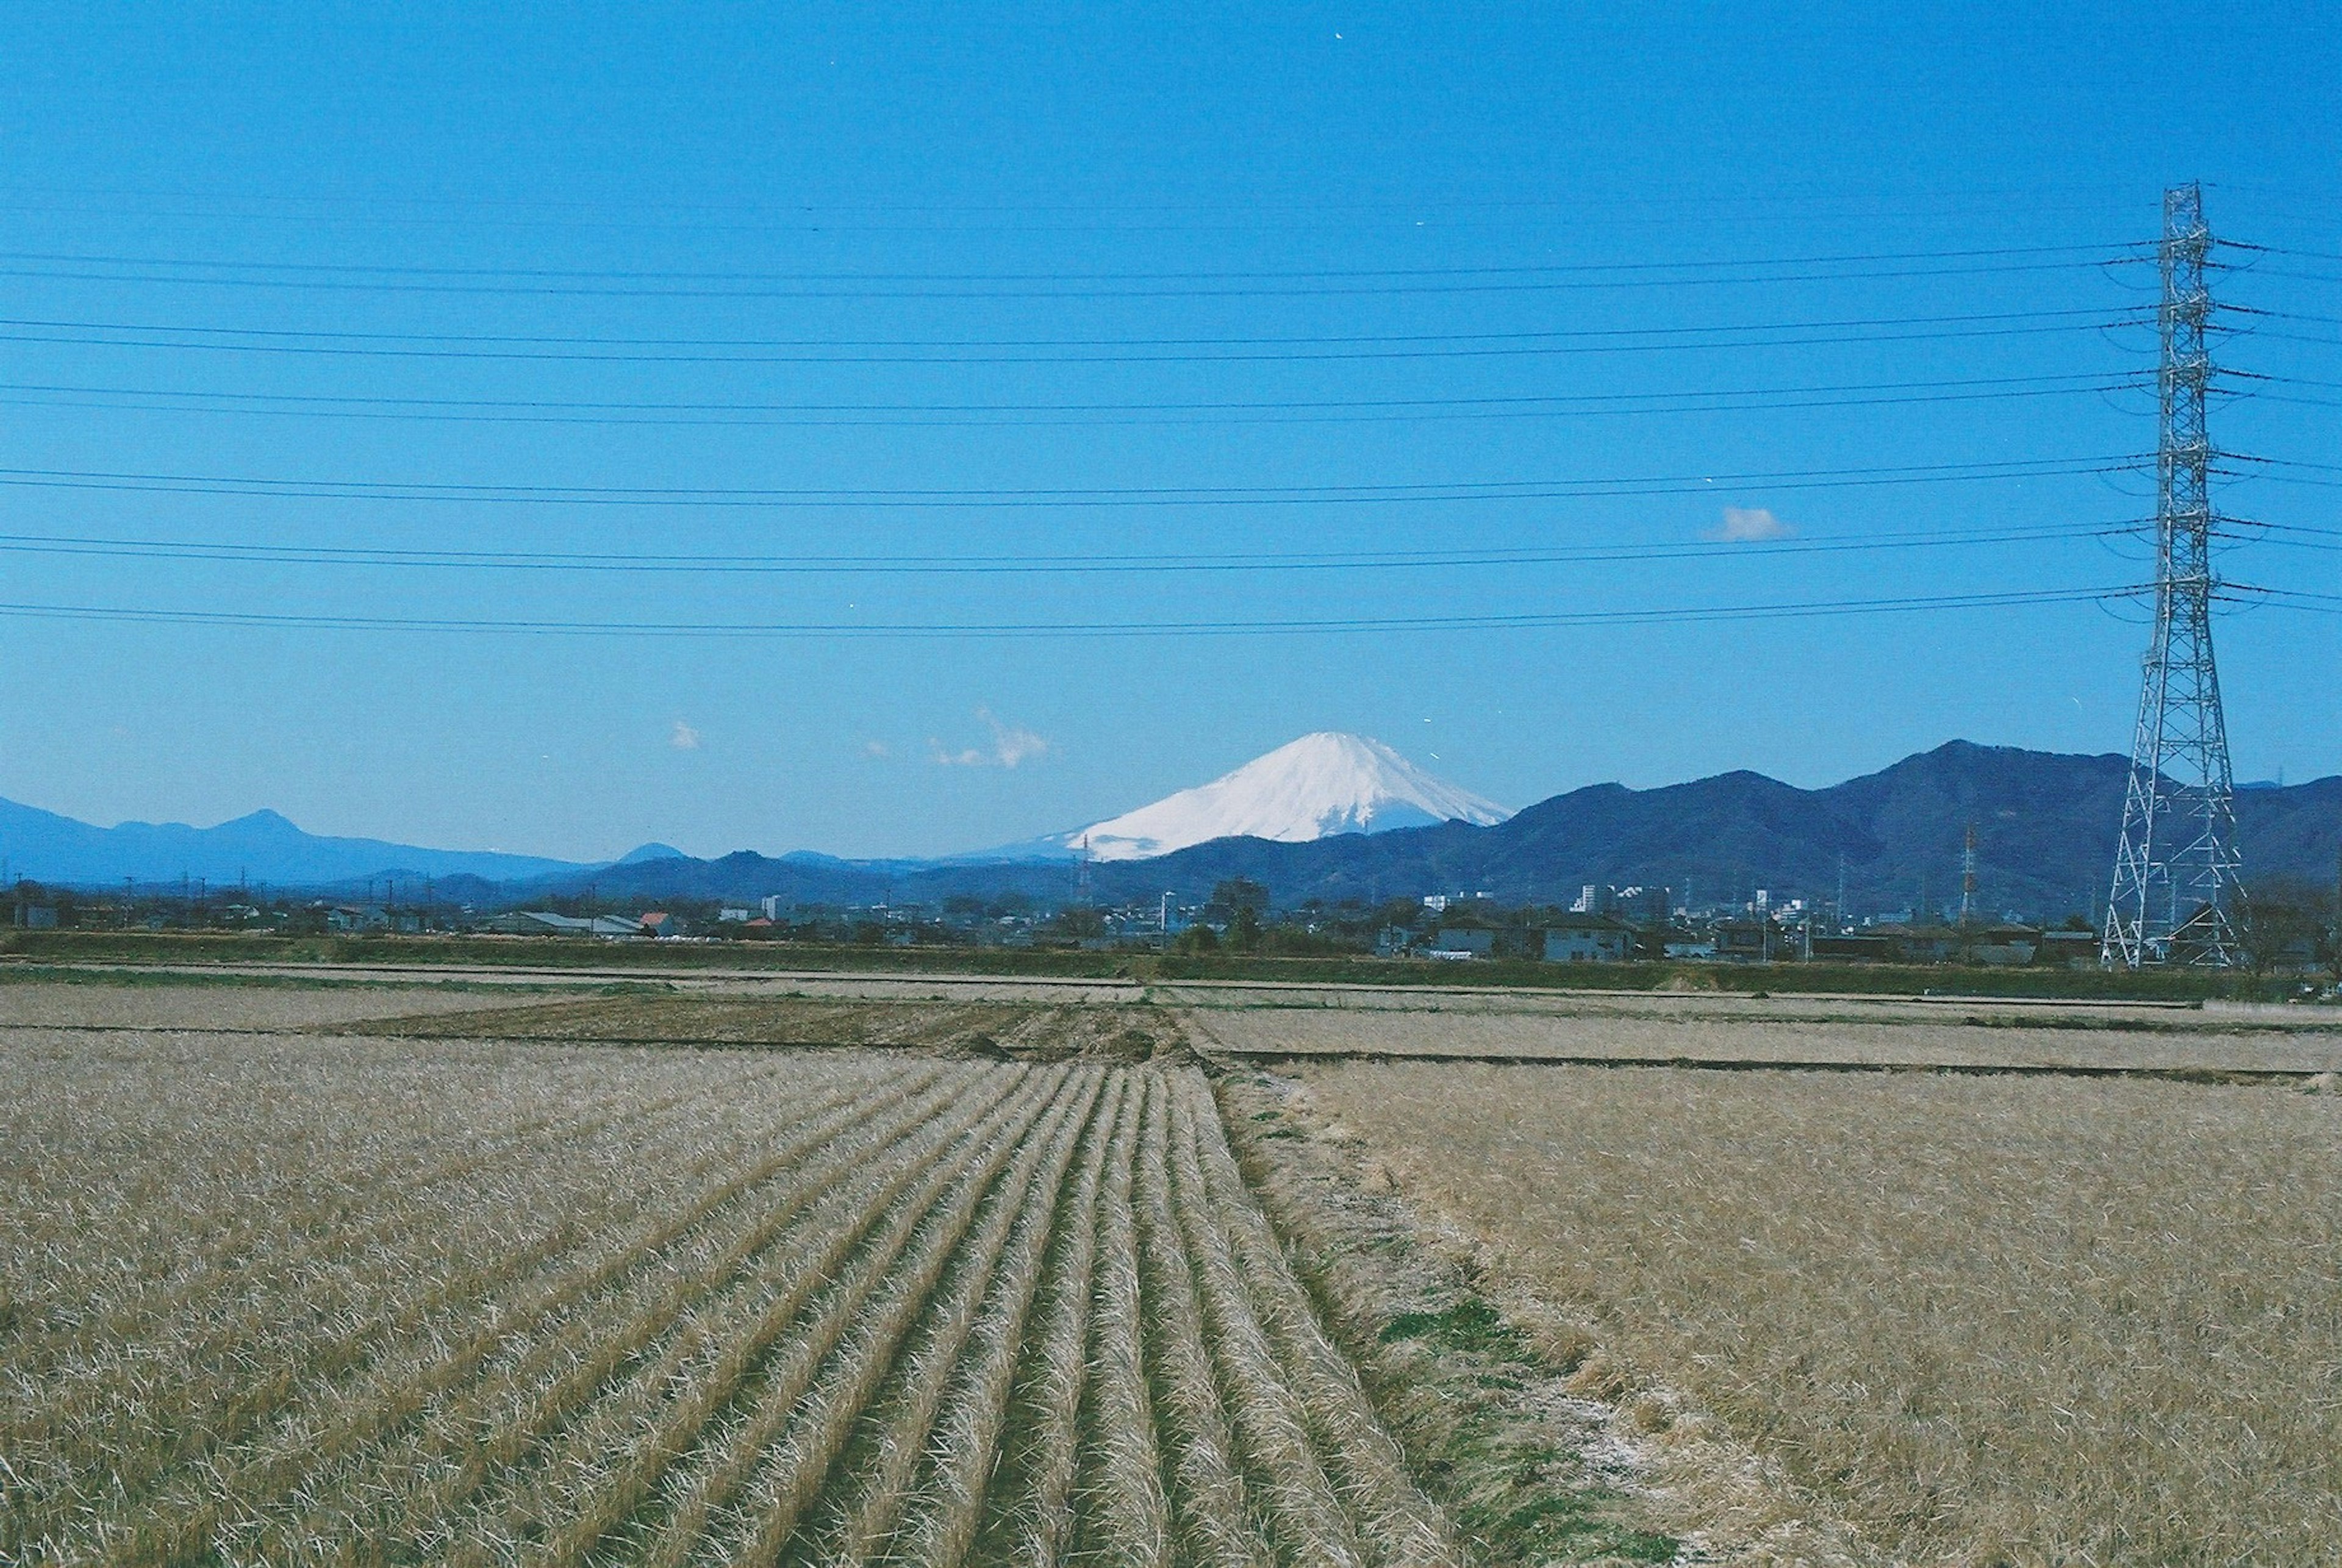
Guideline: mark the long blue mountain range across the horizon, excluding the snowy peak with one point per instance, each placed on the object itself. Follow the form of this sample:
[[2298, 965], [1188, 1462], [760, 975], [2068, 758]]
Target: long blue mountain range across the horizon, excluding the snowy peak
[[2046, 841]]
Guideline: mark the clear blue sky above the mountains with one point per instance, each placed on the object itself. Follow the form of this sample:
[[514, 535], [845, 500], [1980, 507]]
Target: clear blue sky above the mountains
[[1381, 240]]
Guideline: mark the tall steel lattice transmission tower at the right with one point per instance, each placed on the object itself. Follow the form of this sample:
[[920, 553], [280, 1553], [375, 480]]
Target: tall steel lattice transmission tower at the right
[[2177, 869]]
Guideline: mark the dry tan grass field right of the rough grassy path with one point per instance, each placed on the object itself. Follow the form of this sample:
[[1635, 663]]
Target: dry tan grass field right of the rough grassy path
[[1992, 1321]]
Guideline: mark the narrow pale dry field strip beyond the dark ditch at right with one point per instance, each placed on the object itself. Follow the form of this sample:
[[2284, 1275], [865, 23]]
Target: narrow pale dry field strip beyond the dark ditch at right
[[1924, 1040]]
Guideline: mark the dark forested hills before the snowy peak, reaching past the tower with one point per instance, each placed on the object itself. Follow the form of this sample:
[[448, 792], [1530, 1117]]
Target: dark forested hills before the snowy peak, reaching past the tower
[[2046, 841]]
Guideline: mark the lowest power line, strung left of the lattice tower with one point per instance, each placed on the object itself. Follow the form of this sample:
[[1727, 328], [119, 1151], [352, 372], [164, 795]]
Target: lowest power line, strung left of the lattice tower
[[1053, 628]]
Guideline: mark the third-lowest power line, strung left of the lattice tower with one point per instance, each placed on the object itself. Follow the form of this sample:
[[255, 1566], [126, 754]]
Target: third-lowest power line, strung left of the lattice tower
[[1093, 497]]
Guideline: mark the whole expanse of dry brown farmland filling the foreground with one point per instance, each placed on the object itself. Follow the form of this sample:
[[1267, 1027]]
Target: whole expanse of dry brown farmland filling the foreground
[[753, 1270]]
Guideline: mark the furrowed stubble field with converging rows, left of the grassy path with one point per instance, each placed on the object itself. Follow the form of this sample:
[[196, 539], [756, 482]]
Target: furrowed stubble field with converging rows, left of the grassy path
[[664, 1309]]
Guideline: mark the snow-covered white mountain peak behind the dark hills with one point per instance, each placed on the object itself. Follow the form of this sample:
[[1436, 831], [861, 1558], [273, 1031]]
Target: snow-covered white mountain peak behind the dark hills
[[1313, 788]]
